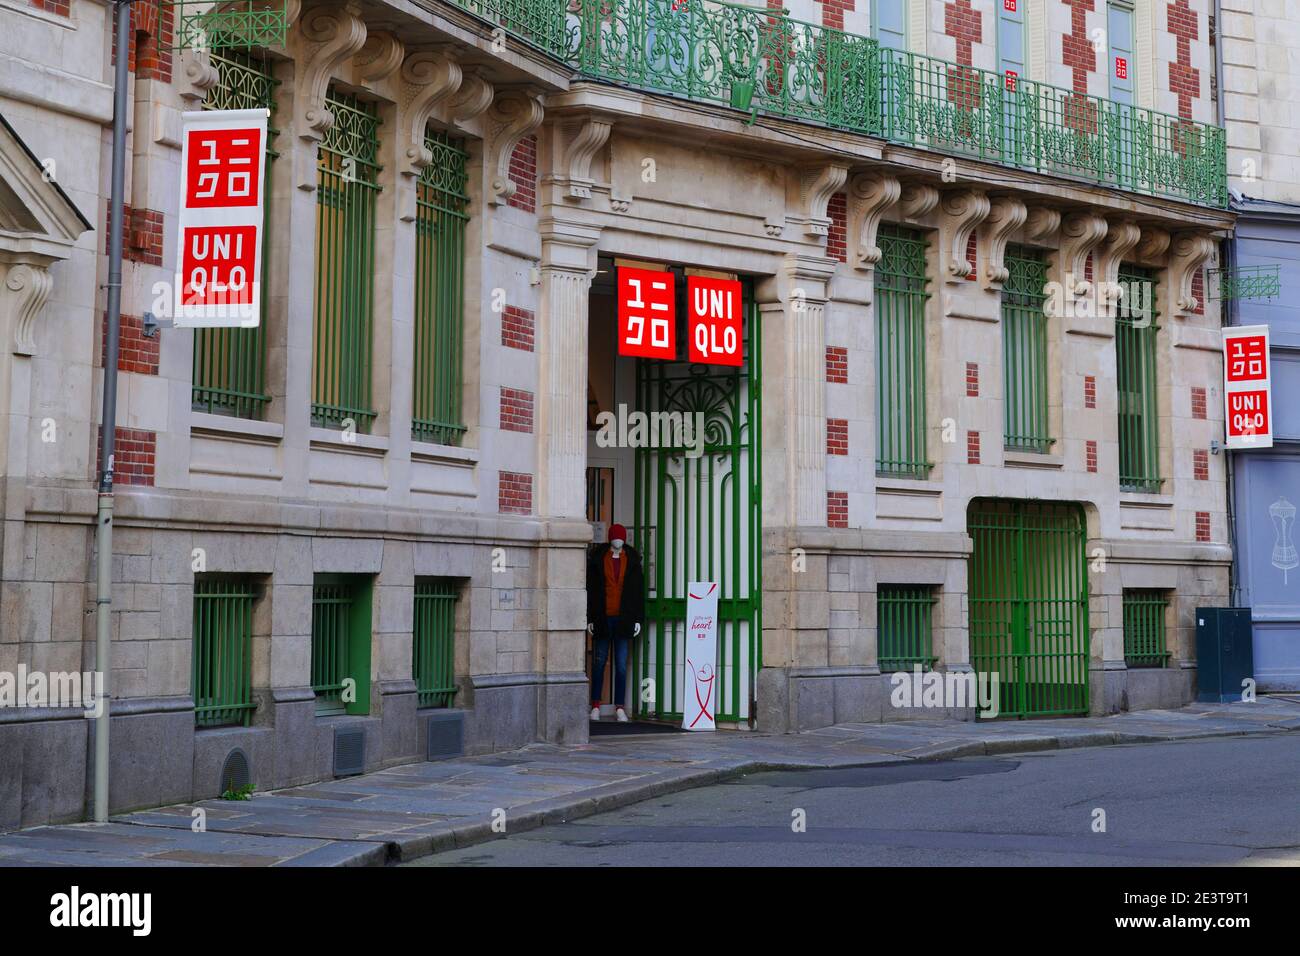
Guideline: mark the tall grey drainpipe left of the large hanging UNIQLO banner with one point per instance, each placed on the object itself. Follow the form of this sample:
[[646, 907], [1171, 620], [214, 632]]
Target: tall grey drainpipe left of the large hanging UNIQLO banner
[[109, 430]]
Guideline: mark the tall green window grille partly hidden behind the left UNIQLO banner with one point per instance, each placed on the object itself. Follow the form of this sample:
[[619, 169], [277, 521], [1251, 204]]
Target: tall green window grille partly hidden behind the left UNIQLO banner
[[231, 365]]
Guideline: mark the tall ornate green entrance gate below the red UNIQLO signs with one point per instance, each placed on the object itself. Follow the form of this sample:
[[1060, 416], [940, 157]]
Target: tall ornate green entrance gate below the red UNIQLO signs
[[699, 520]]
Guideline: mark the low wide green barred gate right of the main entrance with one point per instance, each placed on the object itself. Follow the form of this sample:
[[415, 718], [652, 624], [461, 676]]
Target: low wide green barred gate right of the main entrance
[[1029, 604]]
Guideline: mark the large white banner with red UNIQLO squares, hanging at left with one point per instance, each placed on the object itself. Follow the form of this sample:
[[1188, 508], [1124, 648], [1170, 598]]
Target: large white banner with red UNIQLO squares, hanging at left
[[219, 259]]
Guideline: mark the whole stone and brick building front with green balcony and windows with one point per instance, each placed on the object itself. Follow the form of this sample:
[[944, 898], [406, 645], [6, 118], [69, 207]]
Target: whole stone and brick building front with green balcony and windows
[[970, 431]]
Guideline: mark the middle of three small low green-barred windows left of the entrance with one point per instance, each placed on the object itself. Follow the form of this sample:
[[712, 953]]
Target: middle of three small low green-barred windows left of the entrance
[[341, 644]]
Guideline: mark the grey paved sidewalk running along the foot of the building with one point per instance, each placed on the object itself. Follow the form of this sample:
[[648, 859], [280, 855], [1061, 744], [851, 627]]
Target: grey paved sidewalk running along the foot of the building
[[411, 811]]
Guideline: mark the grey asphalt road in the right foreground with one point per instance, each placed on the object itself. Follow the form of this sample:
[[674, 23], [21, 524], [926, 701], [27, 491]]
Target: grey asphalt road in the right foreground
[[1227, 802]]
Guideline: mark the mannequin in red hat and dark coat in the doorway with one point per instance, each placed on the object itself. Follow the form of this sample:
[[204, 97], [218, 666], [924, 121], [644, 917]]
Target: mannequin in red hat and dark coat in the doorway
[[616, 608]]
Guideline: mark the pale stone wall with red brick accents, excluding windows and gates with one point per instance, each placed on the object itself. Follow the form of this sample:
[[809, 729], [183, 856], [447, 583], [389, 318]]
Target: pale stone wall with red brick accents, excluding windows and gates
[[557, 179]]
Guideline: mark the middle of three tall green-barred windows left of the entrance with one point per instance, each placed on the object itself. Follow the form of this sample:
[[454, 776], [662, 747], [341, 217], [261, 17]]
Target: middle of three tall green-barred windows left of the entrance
[[346, 193]]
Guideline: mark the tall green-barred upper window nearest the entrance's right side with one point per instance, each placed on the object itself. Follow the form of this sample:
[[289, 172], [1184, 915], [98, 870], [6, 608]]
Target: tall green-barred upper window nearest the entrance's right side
[[900, 293]]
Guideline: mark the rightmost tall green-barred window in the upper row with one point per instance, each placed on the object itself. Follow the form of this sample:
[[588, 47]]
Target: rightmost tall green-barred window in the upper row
[[1136, 380]]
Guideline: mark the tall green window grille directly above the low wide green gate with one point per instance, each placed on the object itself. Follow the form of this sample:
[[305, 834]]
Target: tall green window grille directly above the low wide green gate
[[1025, 352]]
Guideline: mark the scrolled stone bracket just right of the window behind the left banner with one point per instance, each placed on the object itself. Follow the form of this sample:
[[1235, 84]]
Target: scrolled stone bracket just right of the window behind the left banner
[[332, 36]]
